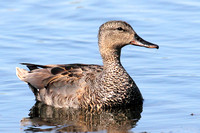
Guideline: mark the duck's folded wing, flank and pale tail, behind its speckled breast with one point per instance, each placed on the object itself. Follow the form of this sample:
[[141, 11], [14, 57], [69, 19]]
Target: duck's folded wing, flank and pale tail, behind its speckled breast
[[60, 85]]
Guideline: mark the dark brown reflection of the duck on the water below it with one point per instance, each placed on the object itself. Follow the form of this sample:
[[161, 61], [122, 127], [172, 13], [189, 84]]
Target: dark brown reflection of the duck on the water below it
[[44, 118]]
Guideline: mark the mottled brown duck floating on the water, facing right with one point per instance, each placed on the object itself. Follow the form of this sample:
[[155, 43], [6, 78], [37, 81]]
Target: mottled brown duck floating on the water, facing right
[[90, 86]]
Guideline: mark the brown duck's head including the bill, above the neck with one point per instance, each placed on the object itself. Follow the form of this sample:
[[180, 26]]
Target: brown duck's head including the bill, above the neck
[[116, 34]]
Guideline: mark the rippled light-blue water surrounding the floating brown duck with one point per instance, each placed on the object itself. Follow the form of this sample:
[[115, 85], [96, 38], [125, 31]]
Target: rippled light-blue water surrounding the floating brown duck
[[56, 32]]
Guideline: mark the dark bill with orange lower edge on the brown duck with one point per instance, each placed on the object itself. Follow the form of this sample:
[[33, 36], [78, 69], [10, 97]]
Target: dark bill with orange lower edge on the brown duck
[[138, 41]]
